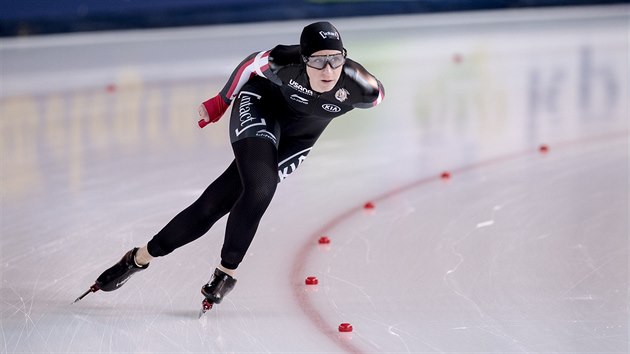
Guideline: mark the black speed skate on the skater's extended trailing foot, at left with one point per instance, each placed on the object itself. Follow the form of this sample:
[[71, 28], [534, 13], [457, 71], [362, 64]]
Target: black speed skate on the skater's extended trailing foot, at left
[[117, 275]]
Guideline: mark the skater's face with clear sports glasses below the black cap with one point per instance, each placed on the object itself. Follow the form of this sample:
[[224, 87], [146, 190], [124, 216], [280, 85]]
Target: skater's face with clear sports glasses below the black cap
[[324, 79]]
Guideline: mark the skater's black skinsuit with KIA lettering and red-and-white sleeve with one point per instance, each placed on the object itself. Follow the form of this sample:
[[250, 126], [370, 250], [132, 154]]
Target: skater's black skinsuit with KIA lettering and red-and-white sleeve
[[273, 102]]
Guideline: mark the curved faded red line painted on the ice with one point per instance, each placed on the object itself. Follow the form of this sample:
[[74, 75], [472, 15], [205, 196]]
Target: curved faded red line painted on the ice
[[299, 263]]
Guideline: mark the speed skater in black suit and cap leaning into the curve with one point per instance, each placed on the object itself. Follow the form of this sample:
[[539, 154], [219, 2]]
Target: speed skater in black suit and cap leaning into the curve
[[283, 99]]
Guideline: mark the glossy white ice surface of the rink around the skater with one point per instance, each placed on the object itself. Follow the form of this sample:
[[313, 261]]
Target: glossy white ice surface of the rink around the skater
[[518, 252]]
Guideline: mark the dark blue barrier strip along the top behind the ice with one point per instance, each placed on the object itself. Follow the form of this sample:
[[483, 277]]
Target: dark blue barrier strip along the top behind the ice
[[27, 17]]
